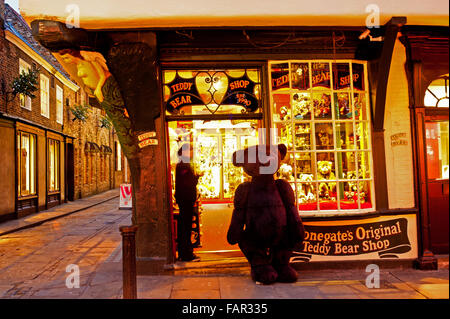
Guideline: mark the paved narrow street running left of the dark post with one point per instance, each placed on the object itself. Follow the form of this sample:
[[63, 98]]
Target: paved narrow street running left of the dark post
[[33, 261]]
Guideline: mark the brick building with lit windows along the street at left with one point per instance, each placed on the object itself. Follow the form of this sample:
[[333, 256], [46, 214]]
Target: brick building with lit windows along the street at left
[[47, 156]]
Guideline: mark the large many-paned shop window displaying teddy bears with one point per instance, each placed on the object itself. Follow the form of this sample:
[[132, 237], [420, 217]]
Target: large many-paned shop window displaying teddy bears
[[320, 111]]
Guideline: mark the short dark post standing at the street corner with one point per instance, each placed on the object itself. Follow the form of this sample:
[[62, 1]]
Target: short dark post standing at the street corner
[[129, 261]]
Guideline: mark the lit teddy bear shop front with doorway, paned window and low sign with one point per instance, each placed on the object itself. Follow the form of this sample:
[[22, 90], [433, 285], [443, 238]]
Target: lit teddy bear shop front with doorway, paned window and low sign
[[320, 110]]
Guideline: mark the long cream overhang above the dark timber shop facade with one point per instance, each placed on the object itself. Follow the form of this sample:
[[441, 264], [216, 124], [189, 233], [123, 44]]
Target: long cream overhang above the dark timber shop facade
[[118, 14]]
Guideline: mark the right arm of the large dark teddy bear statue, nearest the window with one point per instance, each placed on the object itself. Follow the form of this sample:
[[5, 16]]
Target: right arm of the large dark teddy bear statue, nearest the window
[[294, 222]]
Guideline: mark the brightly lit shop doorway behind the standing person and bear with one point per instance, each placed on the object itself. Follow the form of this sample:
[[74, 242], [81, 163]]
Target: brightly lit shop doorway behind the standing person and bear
[[214, 142]]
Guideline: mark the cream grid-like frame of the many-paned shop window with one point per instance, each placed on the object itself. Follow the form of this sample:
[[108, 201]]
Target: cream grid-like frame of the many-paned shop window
[[332, 90]]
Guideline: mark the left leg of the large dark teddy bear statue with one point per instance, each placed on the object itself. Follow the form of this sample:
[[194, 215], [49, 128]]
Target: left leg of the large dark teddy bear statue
[[261, 269]]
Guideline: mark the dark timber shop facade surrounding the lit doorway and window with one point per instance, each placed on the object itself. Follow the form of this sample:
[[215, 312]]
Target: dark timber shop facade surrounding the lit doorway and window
[[365, 120]]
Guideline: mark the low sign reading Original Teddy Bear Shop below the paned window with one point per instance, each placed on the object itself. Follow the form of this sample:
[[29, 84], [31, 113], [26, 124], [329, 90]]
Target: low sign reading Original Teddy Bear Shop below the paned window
[[380, 239]]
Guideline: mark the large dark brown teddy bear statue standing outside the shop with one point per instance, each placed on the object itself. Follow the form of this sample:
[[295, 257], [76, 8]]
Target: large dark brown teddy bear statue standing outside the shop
[[265, 221]]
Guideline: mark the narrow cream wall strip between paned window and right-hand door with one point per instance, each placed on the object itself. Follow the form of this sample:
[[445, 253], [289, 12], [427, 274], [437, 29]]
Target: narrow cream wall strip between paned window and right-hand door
[[399, 159]]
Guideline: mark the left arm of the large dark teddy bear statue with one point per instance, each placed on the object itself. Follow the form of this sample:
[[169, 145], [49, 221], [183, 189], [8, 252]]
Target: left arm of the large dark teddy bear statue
[[238, 218]]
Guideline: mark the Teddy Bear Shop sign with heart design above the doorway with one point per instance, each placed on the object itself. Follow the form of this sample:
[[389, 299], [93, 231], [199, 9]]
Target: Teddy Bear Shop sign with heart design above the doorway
[[203, 90]]
